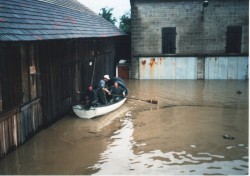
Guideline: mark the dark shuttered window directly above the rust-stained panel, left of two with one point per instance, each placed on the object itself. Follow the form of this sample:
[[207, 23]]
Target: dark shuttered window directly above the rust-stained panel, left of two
[[168, 40]]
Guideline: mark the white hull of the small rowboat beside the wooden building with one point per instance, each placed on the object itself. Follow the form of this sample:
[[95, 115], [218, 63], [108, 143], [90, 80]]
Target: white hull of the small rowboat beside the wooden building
[[96, 111]]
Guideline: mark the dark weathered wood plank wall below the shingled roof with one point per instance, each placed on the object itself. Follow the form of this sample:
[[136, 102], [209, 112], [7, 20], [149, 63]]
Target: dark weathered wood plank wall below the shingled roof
[[62, 67]]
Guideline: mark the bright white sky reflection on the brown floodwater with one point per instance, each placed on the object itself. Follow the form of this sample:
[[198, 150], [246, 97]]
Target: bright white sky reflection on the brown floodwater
[[120, 158]]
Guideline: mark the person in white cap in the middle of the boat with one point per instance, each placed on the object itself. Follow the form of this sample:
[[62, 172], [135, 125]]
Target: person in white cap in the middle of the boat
[[103, 90]]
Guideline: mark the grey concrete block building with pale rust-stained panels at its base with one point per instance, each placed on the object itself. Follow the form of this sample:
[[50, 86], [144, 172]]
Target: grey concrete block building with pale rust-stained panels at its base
[[195, 39]]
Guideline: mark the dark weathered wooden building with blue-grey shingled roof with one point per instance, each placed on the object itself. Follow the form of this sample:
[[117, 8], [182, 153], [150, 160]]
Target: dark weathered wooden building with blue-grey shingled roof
[[48, 50]]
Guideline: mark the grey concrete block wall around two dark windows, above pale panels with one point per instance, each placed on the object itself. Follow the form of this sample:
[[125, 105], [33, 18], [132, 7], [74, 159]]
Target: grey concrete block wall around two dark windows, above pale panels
[[194, 35]]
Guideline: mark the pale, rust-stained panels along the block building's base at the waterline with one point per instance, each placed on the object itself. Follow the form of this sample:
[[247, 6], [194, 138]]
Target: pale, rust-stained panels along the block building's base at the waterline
[[192, 68]]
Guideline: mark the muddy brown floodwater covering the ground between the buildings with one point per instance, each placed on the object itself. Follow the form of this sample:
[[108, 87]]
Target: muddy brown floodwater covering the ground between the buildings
[[198, 128]]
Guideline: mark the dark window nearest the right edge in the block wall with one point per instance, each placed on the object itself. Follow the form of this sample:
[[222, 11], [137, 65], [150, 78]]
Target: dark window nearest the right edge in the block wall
[[234, 34]]
